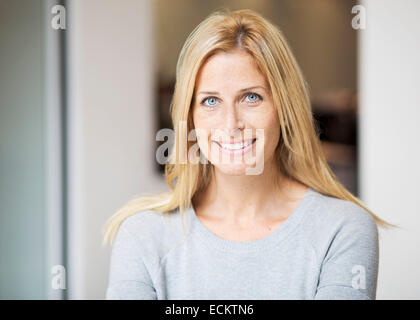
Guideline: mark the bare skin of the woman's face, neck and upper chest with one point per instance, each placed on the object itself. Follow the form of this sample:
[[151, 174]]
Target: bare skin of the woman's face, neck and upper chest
[[236, 205]]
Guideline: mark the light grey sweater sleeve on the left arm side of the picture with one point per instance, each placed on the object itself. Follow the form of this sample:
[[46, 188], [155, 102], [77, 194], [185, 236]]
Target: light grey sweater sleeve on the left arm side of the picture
[[129, 278]]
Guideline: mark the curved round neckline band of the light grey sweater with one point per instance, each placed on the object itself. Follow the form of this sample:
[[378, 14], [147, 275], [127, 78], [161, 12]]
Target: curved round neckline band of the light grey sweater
[[274, 238]]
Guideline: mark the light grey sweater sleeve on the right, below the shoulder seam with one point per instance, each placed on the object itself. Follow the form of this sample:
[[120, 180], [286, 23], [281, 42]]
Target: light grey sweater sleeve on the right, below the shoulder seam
[[350, 266]]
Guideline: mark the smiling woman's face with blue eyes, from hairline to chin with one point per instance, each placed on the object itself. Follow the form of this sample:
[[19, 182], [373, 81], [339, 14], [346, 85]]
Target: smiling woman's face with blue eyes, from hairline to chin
[[236, 123]]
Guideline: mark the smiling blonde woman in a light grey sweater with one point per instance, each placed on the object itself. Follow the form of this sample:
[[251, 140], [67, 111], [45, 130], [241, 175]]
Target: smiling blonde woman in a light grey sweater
[[264, 217]]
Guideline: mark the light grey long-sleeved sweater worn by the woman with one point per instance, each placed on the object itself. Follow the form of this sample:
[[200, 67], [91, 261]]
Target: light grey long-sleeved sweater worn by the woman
[[326, 249]]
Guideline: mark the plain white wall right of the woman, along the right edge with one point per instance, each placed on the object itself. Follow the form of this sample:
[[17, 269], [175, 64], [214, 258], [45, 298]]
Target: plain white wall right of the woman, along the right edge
[[389, 136]]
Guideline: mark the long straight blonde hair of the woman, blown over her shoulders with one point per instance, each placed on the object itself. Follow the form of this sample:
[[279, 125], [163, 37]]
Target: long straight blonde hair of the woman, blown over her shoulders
[[299, 152]]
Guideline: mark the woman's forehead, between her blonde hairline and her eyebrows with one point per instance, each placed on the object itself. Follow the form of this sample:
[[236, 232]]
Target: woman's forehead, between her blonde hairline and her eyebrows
[[229, 70]]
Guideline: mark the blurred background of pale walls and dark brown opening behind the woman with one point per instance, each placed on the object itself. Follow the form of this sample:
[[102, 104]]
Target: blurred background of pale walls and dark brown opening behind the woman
[[86, 84]]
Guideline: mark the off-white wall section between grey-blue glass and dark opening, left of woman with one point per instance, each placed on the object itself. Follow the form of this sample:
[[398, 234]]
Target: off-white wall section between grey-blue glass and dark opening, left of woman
[[111, 127]]
